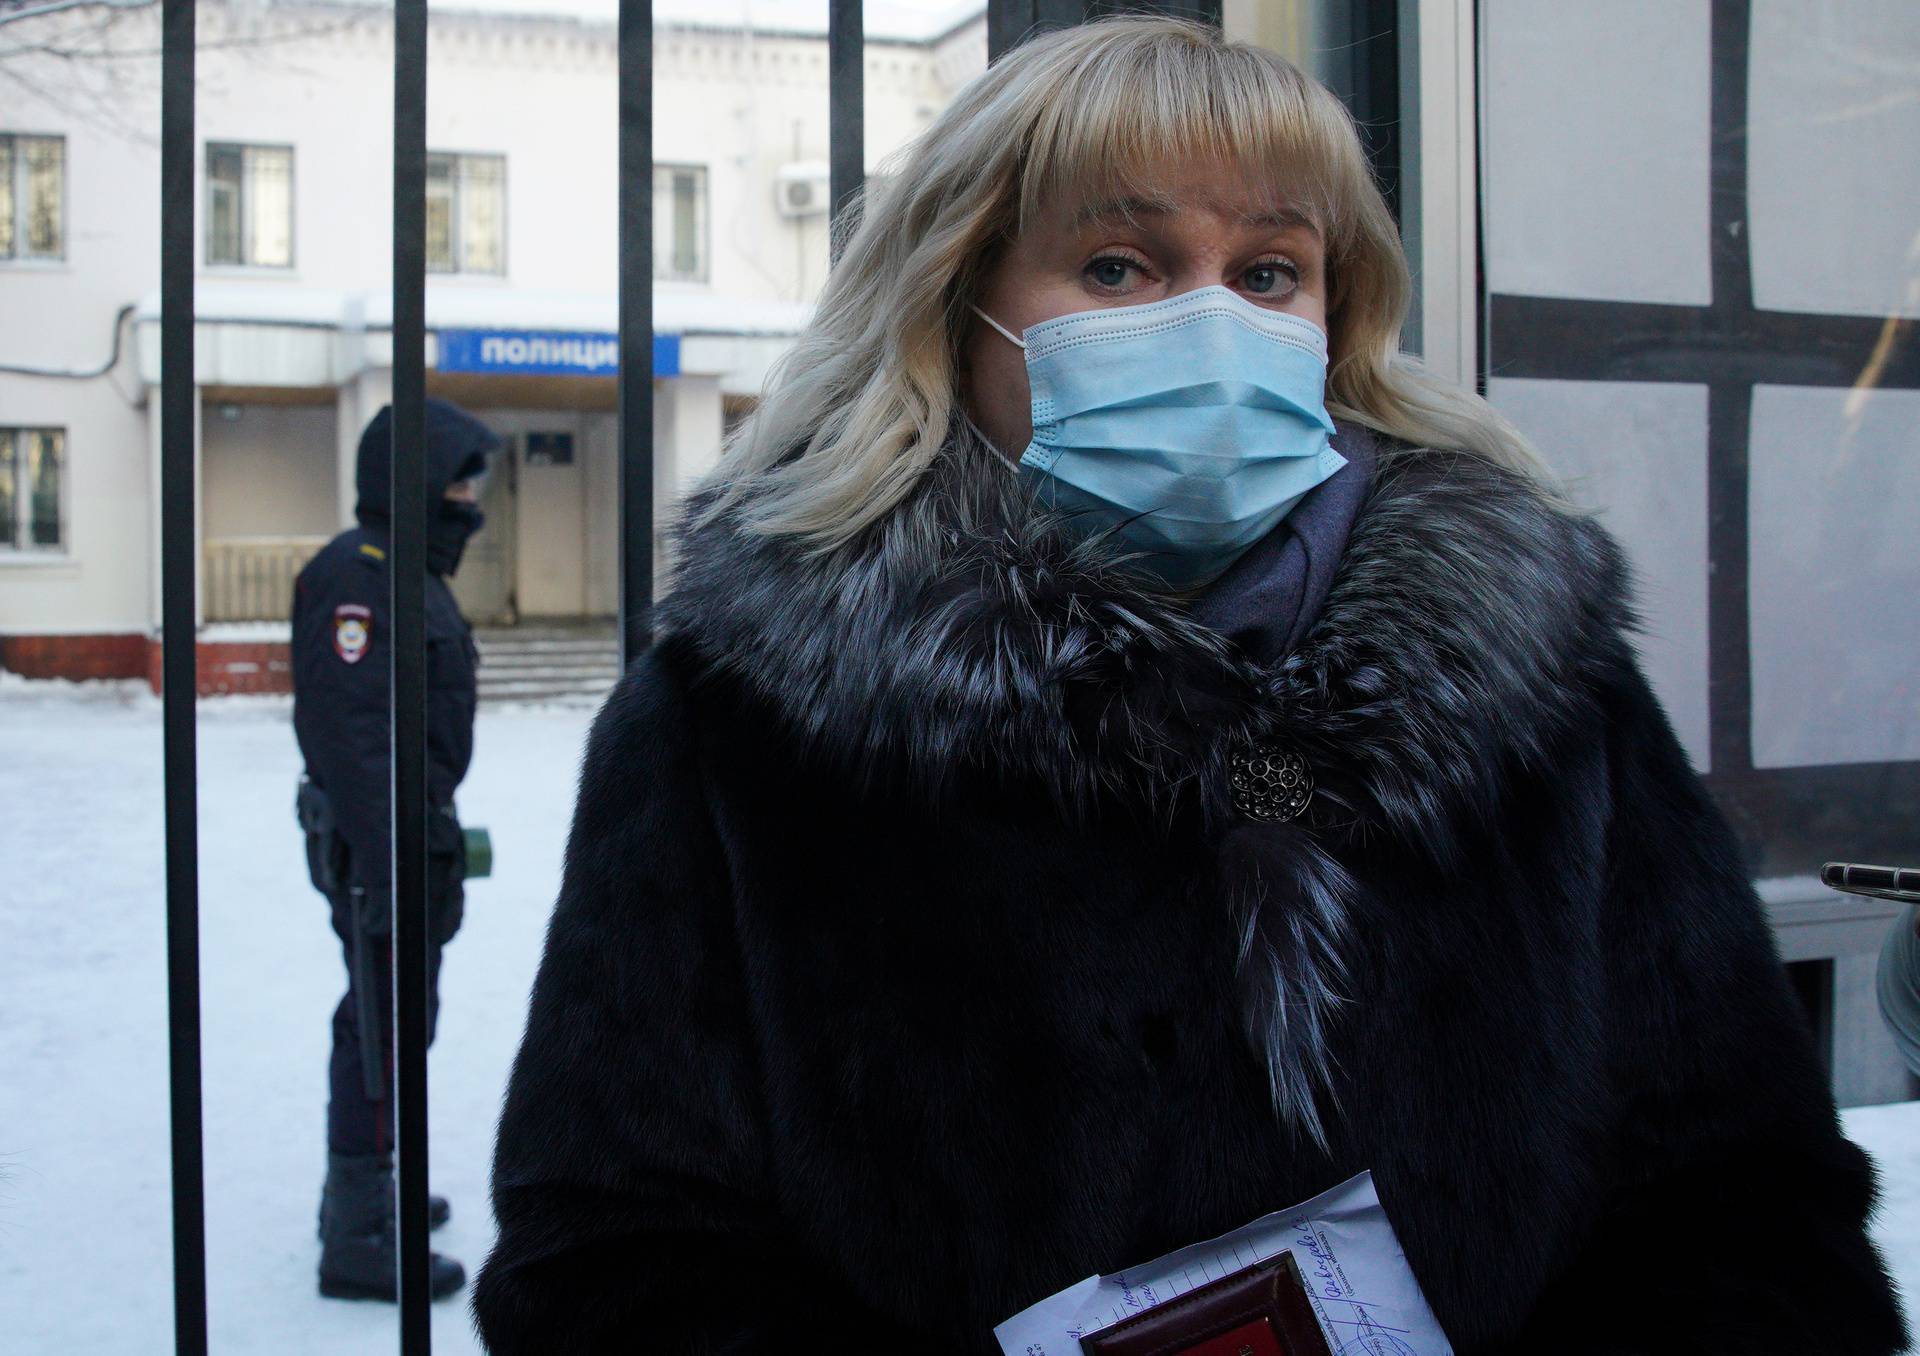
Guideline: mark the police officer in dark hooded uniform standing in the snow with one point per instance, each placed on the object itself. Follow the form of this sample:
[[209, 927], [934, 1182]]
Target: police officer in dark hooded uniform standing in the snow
[[343, 629]]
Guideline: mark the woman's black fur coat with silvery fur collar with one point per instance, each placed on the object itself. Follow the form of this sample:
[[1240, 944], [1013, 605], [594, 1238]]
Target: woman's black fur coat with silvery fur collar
[[911, 961]]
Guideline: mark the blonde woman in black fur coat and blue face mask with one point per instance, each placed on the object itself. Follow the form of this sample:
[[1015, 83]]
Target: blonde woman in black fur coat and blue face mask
[[1124, 754]]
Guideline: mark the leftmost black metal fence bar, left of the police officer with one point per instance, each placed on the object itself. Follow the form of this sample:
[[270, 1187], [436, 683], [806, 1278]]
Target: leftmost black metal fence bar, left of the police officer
[[178, 562]]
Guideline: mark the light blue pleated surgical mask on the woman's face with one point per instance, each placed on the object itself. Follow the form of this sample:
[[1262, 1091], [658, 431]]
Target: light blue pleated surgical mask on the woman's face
[[1186, 427]]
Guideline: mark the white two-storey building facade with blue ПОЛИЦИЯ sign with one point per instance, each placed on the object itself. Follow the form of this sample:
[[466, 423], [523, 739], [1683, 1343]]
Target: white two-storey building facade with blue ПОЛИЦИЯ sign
[[293, 341]]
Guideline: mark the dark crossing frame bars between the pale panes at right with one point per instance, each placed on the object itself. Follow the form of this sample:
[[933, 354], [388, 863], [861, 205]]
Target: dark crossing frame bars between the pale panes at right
[[1788, 819]]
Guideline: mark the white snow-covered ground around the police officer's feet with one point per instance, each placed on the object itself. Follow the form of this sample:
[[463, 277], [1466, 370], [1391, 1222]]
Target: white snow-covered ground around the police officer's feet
[[84, 1025]]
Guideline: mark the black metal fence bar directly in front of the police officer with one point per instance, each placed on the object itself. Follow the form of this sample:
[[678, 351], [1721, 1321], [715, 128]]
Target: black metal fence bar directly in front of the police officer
[[408, 583]]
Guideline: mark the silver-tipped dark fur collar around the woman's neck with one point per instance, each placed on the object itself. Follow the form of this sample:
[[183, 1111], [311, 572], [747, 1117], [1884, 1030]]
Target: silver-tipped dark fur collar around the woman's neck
[[972, 633]]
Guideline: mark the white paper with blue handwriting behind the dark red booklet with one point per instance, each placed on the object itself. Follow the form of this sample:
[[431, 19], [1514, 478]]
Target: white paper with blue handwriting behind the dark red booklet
[[1364, 1295]]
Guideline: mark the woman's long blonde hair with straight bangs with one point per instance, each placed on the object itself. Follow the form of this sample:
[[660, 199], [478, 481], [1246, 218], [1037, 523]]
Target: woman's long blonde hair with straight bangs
[[869, 391]]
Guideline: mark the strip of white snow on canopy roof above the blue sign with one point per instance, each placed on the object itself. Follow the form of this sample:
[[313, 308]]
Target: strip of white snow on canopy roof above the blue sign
[[491, 308]]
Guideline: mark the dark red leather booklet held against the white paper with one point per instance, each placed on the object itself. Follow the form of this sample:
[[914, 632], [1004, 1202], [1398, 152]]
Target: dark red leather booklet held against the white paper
[[1260, 1311]]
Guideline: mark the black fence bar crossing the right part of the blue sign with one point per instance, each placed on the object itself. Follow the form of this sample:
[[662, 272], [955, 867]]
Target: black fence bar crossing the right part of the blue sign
[[636, 327]]
